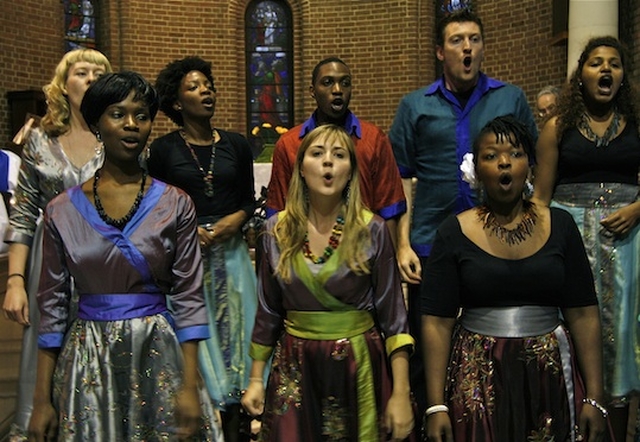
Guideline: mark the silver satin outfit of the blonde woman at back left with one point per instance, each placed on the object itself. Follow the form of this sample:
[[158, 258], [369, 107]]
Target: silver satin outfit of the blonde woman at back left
[[44, 173]]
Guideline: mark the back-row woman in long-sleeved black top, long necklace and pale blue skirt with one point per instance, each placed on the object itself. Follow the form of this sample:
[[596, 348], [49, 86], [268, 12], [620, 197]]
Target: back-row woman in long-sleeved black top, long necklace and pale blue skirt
[[215, 167]]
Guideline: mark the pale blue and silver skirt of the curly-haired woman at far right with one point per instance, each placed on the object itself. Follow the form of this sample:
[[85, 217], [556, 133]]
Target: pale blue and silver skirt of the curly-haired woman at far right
[[615, 262]]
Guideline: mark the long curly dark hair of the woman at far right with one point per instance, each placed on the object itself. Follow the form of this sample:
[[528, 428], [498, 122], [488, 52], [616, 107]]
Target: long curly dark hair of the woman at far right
[[571, 106]]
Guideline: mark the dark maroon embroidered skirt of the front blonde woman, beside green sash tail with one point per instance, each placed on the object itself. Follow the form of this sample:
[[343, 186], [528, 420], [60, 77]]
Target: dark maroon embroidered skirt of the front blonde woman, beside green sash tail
[[312, 393]]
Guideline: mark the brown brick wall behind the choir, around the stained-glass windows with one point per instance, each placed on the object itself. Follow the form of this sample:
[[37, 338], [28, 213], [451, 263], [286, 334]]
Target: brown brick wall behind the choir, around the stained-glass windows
[[388, 44]]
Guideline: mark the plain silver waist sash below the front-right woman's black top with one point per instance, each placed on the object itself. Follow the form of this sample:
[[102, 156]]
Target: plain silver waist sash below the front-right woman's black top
[[511, 322]]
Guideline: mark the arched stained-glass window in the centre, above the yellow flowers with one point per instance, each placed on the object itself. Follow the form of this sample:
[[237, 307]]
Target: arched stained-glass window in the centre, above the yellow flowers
[[269, 43]]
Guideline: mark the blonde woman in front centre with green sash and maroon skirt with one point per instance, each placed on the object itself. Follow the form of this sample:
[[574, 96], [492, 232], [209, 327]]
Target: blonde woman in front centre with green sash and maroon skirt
[[331, 310]]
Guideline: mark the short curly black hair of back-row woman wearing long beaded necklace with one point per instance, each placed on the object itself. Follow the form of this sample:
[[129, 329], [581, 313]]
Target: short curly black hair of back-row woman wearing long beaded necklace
[[168, 83]]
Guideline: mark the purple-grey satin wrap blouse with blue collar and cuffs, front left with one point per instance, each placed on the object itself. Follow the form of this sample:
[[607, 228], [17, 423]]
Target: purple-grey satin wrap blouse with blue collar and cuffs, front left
[[156, 252]]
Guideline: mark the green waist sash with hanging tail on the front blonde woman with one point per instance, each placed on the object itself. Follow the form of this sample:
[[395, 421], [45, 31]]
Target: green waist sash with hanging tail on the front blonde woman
[[350, 324]]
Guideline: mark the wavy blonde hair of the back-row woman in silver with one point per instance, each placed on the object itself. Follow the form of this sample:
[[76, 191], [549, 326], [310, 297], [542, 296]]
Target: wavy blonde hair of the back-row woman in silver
[[56, 120]]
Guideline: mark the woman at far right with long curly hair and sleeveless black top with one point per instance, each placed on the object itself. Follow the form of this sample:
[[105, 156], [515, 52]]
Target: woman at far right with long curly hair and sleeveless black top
[[588, 163]]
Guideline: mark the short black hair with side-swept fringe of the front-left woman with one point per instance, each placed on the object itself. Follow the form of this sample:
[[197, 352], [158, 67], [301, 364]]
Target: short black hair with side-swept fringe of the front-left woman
[[113, 88]]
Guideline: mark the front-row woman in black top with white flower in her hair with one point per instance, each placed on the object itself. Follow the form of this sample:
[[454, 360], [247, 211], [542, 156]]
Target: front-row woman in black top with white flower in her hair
[[501, 364]]
